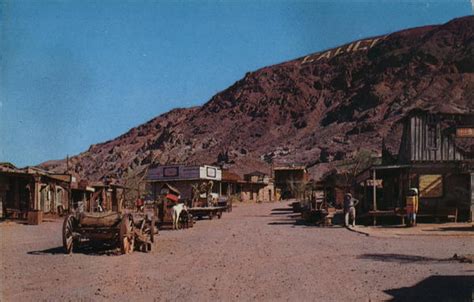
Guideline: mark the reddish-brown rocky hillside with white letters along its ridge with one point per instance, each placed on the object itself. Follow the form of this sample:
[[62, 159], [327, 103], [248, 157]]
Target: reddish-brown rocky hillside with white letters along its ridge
[[317, 110]]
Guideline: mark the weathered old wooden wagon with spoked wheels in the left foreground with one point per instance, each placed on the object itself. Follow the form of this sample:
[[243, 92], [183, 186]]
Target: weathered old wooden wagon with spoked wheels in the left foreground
[[129, 231]]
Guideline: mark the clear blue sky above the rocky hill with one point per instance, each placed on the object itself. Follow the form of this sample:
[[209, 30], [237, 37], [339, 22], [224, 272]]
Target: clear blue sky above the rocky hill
[[76, 73]]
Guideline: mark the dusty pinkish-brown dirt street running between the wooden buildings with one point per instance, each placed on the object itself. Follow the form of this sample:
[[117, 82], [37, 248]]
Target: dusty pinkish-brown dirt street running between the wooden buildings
[[257, 252]]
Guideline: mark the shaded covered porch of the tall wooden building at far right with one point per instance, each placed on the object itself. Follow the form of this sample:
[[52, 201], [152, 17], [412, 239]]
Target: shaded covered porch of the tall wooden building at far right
[[445, 191]]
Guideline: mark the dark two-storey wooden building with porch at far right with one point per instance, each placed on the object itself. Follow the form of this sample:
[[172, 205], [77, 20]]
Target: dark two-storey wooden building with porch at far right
[[433, 152]]
